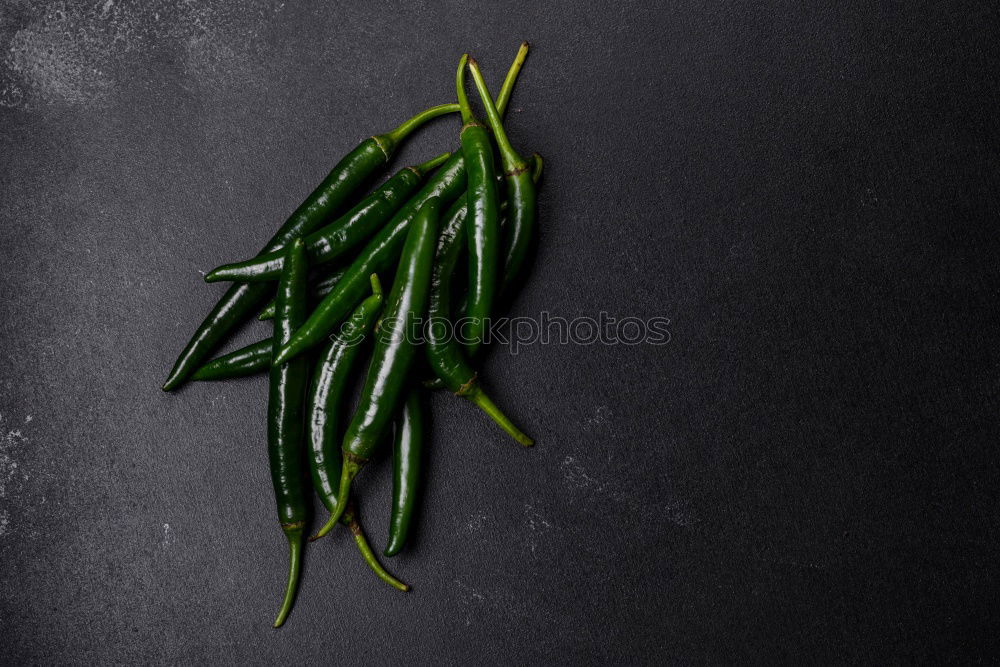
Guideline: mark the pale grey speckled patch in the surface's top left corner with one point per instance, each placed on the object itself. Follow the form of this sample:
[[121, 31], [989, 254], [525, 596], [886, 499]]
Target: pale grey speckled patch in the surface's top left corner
[[76, 54]]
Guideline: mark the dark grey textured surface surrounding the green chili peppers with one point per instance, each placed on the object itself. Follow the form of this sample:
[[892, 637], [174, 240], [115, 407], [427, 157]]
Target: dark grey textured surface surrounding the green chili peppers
[[805, 189]]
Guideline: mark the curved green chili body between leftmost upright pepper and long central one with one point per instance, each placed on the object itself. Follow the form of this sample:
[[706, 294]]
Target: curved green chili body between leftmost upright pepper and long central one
[[333, 368]]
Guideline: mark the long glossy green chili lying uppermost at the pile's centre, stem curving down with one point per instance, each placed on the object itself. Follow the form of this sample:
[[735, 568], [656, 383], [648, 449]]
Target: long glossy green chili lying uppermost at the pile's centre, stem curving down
[[395, 349]]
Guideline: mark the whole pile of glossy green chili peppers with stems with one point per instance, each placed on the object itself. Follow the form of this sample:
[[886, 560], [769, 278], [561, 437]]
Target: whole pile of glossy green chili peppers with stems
[[318, 281]]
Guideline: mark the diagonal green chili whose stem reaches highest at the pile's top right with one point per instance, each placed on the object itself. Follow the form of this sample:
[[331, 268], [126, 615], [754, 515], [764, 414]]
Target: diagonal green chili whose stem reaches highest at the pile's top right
[[381, 251]]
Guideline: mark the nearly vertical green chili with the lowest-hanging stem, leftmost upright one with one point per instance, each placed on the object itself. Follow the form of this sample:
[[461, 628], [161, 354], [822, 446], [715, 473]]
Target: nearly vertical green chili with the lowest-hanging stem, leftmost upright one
[[286, 396]]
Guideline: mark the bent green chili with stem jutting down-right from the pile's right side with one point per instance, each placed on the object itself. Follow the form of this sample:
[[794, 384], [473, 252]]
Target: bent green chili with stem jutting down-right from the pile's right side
[[444, 354]]
